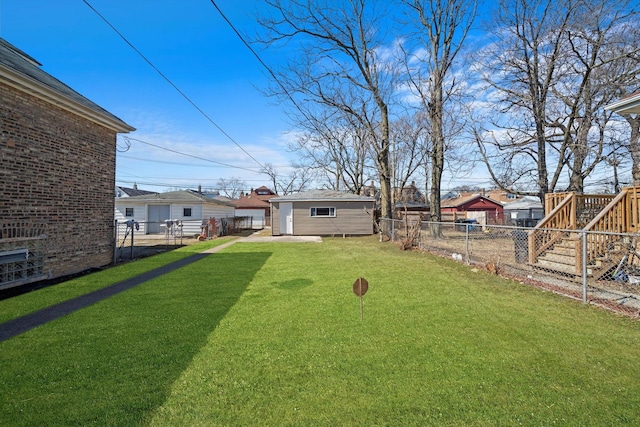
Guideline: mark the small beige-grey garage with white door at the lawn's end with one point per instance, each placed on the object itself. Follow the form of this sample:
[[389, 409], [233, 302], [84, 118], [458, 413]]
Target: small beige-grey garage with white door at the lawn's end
[[322, 213]]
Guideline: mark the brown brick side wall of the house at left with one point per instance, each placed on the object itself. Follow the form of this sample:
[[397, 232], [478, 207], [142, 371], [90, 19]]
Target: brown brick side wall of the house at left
[[57, 173]]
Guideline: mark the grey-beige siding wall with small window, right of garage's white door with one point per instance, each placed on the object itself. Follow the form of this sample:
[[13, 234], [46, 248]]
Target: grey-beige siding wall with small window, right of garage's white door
[[350, 219]]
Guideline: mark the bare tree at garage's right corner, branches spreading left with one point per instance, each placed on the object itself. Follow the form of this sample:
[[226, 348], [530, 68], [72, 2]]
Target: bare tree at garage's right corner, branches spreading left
[[338, 66]]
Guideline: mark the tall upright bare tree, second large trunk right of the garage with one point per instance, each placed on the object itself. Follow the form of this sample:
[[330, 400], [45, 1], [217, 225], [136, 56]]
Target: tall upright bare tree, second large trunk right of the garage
[[444, 25]]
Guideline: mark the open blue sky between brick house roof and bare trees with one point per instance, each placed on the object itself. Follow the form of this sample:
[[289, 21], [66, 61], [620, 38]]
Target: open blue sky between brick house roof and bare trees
[[192, 45]]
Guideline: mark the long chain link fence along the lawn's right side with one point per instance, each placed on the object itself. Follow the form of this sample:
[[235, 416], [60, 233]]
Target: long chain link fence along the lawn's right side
[[596, 268]]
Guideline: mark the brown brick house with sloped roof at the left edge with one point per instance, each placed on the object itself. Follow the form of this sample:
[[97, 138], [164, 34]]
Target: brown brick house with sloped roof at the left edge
[[57, 168]]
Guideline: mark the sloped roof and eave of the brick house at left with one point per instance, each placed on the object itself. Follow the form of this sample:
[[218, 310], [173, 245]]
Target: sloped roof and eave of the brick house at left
[[21, 71]]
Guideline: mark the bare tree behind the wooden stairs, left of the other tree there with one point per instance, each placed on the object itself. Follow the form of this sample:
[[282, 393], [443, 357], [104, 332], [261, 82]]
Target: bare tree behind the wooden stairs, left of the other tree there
[[527, 47]]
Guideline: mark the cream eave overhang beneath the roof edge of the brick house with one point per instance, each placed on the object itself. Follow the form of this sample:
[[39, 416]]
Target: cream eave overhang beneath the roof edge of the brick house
[[33, 87]]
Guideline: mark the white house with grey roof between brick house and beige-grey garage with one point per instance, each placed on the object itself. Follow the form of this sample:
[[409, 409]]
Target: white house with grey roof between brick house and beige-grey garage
[[153, 210]]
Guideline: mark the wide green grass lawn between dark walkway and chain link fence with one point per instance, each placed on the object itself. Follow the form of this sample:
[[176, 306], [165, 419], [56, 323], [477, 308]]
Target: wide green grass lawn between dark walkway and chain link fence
[[270, 334]]
